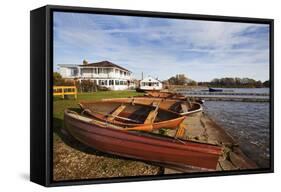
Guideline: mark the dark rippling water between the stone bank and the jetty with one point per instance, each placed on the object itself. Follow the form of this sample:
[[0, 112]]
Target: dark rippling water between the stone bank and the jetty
[[248, 123]]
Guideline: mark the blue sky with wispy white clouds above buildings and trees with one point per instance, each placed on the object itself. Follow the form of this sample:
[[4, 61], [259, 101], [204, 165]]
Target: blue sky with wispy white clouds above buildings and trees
[[202, 50]]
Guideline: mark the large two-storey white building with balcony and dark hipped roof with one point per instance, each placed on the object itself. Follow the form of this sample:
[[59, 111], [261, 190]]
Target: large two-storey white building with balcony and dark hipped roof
[[102, 73]]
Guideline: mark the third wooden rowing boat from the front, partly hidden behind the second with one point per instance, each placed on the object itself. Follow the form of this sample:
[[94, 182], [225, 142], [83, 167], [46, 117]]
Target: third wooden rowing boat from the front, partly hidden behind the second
[[180, 107]]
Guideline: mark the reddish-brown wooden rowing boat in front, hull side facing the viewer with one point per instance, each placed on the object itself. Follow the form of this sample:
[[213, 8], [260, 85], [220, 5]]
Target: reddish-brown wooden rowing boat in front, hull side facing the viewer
[[178, 154]]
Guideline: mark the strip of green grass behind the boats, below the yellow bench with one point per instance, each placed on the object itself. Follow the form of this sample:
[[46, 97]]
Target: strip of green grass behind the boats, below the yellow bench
[[59, 105]]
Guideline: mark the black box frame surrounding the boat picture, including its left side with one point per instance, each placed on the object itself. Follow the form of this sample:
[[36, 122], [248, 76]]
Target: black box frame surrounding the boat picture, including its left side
[[41, 67]]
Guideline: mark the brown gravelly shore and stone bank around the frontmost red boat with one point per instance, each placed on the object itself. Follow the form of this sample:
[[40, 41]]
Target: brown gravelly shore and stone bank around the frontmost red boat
[[73, 160]]
